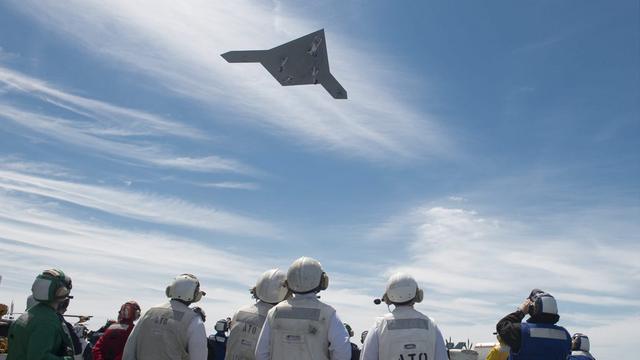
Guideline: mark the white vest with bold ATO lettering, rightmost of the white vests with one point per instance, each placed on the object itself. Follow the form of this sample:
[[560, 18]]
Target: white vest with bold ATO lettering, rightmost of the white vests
[[406, 334]]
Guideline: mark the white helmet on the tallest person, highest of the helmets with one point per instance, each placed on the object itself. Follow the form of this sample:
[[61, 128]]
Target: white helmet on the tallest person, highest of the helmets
[[306, 275]]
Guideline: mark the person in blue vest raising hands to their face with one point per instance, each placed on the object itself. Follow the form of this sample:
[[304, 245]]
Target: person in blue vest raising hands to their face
[[539, 337]]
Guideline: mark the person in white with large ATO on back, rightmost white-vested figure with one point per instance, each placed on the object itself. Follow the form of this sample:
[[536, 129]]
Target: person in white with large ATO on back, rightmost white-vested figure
[[404, 333]]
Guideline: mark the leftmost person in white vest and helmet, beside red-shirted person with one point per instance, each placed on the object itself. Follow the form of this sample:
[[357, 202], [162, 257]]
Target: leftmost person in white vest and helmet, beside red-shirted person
[[171, 331]]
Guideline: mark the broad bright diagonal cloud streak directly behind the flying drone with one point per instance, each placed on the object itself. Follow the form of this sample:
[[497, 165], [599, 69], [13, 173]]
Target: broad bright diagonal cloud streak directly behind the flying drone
[[179, 46]]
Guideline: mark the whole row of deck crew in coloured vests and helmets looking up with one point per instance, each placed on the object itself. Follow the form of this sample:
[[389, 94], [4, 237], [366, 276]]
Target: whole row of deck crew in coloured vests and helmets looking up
[[287, 320]]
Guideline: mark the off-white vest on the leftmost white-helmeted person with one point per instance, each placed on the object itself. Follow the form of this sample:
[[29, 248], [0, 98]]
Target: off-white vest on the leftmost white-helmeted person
[[162, 333]]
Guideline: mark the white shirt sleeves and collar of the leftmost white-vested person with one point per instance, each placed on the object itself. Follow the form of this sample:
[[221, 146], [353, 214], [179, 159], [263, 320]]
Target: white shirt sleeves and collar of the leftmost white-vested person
[[197, 343]]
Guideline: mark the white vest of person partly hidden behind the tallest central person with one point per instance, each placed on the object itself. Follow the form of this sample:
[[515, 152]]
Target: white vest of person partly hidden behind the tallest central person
[[243, 337]]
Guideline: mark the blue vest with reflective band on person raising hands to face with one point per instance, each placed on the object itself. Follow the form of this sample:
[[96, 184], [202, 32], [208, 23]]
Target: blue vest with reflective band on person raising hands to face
[[543, 342]]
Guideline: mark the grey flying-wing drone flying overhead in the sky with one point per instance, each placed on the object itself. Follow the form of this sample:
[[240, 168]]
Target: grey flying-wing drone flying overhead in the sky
[[299, 62]]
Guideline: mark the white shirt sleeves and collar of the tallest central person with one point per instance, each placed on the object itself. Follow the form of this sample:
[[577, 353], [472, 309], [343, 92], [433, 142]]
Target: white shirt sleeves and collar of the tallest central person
[[339, 345]]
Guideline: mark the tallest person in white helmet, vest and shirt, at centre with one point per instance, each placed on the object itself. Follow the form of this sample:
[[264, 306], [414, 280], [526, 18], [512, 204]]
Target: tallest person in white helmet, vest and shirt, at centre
[[303, 327]]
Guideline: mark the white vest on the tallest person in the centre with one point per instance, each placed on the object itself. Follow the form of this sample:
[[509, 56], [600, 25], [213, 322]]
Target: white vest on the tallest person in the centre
[[300, 329]]
